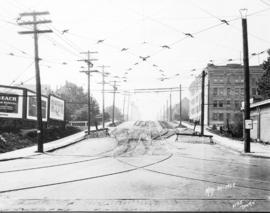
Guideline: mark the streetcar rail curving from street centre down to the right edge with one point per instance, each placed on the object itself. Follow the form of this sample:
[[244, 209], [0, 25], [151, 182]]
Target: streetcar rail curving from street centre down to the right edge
[[192, 178]]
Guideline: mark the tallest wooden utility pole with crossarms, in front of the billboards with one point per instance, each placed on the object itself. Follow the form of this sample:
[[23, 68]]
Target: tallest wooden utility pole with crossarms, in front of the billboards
[[36, 31]]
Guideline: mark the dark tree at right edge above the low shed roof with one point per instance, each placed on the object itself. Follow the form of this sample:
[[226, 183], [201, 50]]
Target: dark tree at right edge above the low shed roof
[[264, 82]]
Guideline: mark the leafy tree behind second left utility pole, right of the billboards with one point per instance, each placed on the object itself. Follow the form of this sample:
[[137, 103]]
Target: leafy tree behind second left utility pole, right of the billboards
[[76, 102]]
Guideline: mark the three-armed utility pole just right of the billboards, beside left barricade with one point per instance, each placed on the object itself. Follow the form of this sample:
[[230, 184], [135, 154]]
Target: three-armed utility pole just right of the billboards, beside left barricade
[[88, 71]]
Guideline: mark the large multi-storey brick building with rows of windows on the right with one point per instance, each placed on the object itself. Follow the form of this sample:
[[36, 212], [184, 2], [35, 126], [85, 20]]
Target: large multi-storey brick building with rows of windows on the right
[[224, 92]]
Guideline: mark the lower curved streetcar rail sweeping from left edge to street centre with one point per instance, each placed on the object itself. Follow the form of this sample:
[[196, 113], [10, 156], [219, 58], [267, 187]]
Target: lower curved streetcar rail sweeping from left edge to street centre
[[83, 179]]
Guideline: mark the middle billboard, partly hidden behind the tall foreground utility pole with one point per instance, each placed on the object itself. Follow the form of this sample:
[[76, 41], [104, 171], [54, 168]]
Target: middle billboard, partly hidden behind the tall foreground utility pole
[[32, 106]]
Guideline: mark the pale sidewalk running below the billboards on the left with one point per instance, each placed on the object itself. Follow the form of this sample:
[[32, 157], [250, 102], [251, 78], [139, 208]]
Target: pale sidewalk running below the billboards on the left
[[50, 146]]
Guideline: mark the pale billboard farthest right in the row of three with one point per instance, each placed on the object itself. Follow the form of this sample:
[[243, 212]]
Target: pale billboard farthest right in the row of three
[[57, 108]]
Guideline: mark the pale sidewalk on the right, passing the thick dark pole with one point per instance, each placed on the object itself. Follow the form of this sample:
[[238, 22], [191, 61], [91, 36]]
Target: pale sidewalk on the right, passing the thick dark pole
[[257, 149]]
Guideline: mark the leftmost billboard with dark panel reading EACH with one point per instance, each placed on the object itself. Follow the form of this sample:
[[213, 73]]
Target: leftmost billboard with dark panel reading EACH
[[11, 102]]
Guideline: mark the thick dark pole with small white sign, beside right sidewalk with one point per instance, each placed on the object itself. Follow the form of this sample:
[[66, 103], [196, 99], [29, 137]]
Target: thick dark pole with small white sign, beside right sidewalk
[[246, 82]]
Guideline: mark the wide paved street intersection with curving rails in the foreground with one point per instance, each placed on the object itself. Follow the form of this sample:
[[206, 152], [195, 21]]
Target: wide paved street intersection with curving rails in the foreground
[[99, 174]]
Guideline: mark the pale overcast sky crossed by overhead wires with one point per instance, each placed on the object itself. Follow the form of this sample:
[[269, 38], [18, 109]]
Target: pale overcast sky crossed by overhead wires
[[154, 28]]
